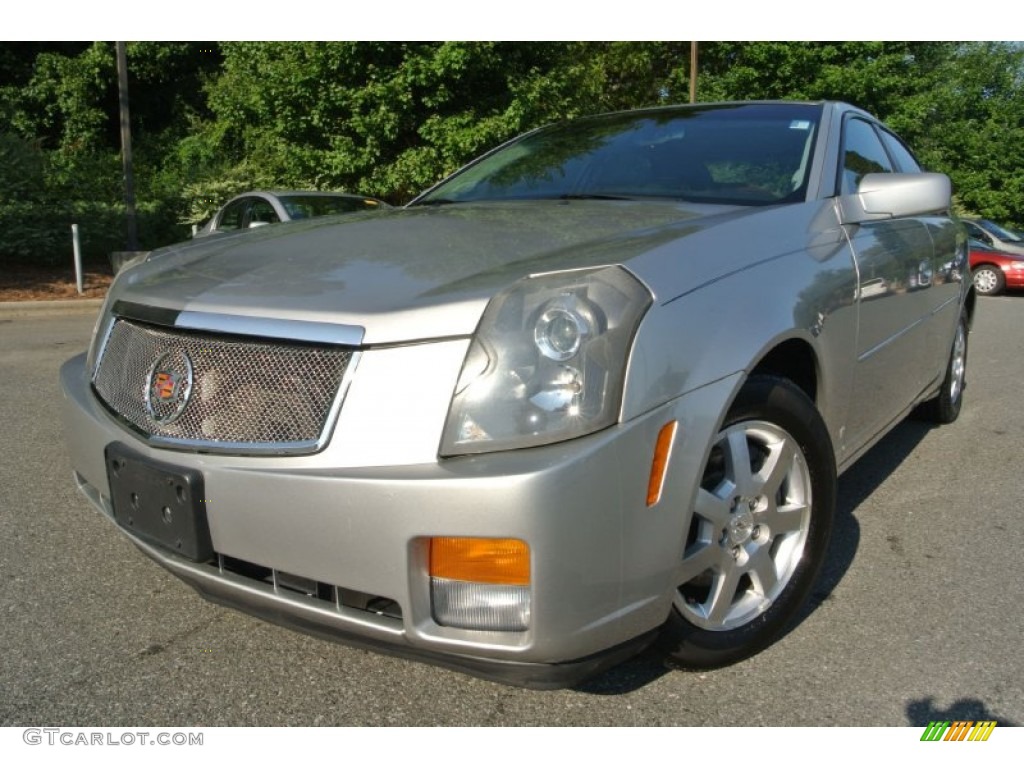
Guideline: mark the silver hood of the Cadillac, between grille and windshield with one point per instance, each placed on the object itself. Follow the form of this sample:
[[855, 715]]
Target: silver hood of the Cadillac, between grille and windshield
[[404, 275]]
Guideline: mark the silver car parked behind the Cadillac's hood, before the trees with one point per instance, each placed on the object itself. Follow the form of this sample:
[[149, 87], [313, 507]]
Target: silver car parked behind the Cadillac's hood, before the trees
[[262, 208]]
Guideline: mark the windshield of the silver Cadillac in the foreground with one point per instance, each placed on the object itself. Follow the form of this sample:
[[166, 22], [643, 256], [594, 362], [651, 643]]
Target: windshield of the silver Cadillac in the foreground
[[753, 154]]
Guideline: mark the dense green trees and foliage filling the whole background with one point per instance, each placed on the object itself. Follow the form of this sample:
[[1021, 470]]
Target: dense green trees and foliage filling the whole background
[[390, 119]]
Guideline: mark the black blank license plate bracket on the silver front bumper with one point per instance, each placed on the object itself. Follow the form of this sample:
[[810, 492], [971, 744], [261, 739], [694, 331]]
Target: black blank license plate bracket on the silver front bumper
[[161, 504]]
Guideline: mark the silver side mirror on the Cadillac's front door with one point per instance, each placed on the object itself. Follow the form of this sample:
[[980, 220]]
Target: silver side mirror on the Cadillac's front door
[[888, 196]]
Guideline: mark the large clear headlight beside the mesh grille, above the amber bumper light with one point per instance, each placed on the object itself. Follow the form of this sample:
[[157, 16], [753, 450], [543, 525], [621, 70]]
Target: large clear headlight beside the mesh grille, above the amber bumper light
[[547, 362]]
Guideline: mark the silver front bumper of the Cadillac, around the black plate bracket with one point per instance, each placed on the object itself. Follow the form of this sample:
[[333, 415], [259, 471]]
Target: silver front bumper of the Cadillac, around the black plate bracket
[[602, 563]]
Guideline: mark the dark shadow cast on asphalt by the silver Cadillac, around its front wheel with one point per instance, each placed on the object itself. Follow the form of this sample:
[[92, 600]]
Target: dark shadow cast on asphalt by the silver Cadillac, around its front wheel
[[856, 486]]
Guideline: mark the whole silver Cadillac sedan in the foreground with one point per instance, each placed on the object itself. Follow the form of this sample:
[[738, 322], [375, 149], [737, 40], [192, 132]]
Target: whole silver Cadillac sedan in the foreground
[[590, 393]]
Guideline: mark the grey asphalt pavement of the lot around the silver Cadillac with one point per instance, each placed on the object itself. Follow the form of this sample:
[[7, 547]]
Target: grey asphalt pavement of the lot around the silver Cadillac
[[916, 619]]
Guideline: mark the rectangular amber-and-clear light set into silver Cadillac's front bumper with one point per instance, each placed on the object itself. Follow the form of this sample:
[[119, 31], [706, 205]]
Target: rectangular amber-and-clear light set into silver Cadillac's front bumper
[[481, 584]]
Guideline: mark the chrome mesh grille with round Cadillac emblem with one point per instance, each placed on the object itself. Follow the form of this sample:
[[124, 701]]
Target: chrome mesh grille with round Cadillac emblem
[[241, 393]]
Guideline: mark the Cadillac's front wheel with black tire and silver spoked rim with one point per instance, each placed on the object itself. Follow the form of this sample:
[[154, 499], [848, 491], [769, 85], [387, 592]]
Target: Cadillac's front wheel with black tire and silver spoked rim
[[759, 532]]
